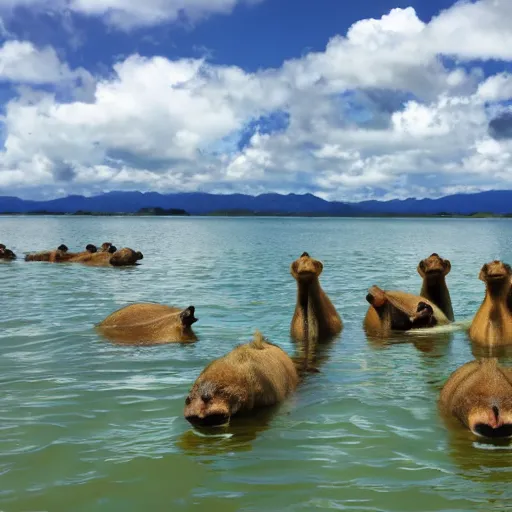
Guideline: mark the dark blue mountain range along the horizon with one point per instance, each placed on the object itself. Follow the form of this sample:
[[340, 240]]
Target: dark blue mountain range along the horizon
[[495, 202]]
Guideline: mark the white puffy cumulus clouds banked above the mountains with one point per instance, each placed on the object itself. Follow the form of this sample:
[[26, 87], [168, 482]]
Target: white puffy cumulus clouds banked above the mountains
[[380, 111]]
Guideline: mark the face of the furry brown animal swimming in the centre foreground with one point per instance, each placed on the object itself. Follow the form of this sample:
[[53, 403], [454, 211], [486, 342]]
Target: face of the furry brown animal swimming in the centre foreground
[[207, 405]]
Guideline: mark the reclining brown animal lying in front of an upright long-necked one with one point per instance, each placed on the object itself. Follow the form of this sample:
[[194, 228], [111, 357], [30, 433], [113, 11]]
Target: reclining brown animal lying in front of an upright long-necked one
[[399, 311]]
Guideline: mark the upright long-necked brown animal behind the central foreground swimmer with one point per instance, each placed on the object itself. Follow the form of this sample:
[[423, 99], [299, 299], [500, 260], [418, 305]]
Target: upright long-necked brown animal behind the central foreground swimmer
[[315, 317]]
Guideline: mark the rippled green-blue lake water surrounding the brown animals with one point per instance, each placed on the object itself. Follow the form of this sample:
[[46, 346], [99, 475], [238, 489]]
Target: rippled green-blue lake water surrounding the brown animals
[[89, 426]]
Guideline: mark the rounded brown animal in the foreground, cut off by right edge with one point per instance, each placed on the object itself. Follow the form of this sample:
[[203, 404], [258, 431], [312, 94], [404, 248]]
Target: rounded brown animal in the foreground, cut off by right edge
[[479, 396]]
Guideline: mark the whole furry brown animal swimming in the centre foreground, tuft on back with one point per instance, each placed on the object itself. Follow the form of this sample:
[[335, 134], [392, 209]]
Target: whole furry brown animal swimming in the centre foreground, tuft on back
[[252, 375]]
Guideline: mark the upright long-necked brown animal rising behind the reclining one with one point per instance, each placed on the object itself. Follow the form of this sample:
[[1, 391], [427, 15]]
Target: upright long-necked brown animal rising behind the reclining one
[[433, 270]]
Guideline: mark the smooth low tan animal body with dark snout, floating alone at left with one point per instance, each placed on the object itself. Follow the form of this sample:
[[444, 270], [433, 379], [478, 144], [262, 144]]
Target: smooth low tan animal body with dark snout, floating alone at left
[[149, 324]]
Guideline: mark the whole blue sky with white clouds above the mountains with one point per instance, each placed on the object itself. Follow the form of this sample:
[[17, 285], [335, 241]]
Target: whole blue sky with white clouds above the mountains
[[374, 99]]
